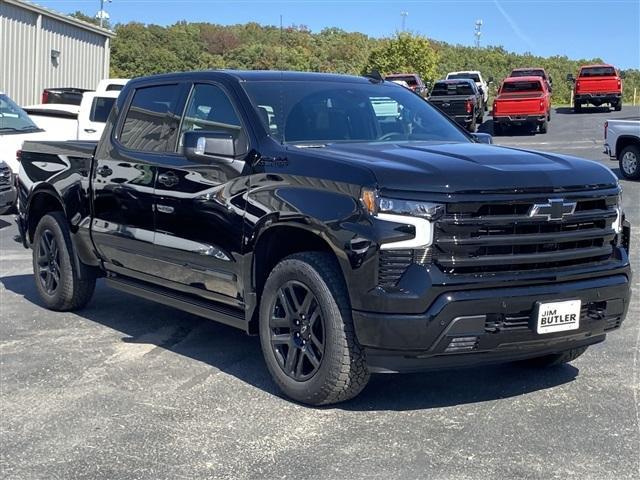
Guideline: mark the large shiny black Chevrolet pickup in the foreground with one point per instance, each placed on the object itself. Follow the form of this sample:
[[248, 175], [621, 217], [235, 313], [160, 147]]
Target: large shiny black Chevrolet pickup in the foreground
[[344, 220]]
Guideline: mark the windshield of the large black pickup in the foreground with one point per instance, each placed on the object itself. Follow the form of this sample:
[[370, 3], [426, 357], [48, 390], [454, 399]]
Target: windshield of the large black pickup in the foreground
[[317, 113]]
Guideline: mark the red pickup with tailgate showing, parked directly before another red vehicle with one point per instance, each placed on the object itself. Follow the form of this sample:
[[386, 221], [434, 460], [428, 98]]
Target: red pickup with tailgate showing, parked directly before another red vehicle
[[522, 101]]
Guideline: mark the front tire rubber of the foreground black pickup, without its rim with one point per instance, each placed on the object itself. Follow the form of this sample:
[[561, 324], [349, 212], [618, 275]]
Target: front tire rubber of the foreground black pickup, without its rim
[[343, 371]]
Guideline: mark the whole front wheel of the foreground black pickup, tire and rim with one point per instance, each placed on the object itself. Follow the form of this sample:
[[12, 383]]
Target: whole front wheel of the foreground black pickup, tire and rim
[[307, 334]]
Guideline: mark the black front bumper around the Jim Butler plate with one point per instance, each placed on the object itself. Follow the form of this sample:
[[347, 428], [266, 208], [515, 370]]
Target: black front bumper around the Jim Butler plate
[[492, 325]]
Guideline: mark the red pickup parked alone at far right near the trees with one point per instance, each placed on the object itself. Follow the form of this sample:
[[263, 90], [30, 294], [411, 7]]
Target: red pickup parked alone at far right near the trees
[[597, 85]]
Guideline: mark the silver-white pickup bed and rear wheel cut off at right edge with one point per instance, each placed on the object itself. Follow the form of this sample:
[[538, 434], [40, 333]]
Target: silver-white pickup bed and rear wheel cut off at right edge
[[622, 142]]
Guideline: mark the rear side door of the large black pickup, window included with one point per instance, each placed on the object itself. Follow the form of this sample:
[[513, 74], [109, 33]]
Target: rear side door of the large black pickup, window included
[[124, 174]]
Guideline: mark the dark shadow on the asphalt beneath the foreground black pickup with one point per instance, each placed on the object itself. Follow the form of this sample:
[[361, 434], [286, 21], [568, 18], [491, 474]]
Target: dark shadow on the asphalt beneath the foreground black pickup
[[237, 354]]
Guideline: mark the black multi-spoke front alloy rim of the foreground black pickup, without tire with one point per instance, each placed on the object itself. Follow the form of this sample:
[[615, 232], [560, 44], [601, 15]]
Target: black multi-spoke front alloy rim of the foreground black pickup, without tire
[[297, 331]]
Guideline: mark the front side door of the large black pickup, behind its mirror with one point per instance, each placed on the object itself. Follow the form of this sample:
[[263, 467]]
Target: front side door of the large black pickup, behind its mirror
[[200, 203]]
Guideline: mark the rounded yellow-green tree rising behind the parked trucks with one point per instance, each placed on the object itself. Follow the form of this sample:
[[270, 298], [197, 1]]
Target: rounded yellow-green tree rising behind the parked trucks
[[405, 52]]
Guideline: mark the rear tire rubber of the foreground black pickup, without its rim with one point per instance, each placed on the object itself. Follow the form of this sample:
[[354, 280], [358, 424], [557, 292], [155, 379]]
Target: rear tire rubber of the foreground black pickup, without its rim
[[71, 293]]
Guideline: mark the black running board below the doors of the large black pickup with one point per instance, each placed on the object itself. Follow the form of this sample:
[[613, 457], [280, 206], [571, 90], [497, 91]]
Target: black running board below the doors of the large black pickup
[[213, 311]]
